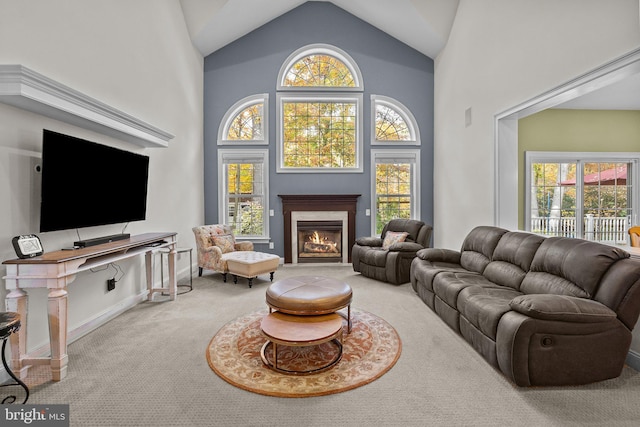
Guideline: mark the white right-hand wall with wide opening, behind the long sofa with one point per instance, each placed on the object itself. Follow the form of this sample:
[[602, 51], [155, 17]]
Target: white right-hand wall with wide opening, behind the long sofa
[[501, 53]]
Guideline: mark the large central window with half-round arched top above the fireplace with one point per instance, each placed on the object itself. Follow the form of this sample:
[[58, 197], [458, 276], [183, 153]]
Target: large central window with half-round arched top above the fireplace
[[319, 115]]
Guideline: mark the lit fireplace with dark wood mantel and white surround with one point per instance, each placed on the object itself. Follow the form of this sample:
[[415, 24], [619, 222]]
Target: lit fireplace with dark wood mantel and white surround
[[318, 227]]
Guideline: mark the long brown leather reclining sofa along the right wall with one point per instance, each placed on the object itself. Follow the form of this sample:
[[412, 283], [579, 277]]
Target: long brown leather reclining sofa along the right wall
[[544, 311]]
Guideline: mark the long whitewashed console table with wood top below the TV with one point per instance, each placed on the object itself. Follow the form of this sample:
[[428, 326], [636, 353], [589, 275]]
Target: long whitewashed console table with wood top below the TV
[[54, 271]]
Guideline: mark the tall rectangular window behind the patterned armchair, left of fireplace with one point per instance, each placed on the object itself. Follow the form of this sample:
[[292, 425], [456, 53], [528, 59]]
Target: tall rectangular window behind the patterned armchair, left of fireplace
[[243, 191]]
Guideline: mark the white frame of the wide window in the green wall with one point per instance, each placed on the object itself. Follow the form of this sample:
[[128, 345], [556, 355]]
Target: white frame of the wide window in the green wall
[[580, 158]]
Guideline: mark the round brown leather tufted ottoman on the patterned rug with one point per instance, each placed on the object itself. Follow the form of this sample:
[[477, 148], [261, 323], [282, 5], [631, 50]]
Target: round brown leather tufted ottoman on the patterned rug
[[310, 296]]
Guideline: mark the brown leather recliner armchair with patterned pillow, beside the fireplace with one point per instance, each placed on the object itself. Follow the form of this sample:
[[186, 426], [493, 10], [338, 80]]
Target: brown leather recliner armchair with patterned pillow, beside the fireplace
[[390, 264]]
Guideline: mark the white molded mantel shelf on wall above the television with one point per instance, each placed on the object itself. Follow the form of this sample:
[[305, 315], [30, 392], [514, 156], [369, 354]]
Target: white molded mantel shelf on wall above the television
[[26, 89]]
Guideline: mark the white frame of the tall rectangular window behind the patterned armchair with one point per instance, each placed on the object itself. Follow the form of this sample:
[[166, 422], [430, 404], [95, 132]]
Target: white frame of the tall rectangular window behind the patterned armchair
[[227, 156]]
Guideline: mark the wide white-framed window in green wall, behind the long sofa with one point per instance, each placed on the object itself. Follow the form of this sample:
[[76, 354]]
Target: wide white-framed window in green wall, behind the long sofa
[[585, 195]]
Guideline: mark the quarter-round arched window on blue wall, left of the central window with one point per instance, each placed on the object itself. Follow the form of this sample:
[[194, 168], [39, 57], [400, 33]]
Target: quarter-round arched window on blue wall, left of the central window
[[246, 122]]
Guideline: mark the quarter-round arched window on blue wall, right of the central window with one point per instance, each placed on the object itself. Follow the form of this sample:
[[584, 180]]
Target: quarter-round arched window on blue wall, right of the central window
[[392, 123]]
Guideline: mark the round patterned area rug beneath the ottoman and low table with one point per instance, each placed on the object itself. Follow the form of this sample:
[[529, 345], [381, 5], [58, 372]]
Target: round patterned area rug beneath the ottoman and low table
[[369, 351]]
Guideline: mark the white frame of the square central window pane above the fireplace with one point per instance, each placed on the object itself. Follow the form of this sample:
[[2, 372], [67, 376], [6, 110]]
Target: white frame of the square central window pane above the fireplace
[[282, 98]]
